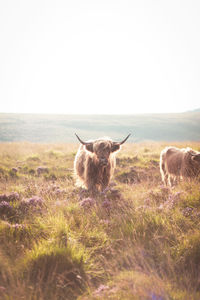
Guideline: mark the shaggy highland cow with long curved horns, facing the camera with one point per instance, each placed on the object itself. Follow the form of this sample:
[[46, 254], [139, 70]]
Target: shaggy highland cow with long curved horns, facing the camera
[[95, 163]]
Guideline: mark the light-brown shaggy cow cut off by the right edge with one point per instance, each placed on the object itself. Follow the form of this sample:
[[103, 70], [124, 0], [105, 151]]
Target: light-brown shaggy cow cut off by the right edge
[[178, 163]]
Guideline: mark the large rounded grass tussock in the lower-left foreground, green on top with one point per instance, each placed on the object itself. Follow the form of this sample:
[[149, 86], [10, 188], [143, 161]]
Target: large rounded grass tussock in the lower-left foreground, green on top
[[55, 268]]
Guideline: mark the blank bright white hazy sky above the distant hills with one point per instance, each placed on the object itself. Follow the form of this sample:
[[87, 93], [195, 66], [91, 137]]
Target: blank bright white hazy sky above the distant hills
[[104, 56]]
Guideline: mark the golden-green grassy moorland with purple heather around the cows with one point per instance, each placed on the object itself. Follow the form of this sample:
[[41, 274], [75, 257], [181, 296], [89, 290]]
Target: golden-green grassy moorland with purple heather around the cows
[[137, 241]]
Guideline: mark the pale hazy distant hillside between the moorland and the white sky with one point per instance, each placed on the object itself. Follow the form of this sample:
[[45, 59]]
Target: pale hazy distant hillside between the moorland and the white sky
[[61, 128]]
